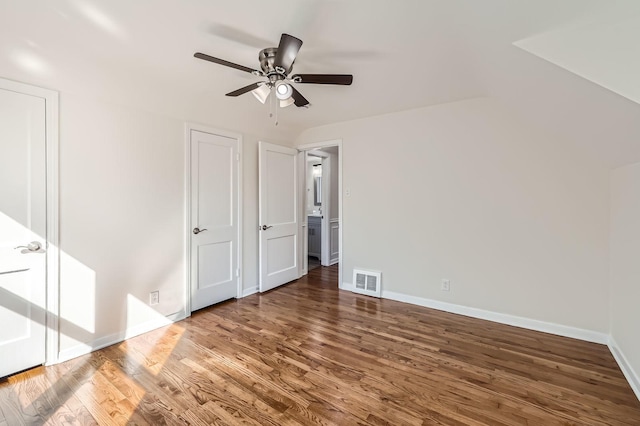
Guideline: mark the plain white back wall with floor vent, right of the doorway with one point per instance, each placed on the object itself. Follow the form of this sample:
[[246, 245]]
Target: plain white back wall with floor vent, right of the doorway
[[518, 223]]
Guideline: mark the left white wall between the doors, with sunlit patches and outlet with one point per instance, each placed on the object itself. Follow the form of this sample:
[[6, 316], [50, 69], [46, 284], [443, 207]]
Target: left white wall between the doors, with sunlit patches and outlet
[[122, 219]]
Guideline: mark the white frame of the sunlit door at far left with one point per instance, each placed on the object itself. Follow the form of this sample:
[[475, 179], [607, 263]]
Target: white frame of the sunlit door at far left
[[52, 296]]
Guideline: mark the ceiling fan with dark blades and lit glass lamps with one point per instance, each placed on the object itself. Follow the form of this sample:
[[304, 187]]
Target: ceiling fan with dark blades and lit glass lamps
[[276, 64]]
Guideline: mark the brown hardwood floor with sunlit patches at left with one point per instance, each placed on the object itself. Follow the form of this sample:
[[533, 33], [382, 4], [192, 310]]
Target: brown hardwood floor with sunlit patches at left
[[307, 353]]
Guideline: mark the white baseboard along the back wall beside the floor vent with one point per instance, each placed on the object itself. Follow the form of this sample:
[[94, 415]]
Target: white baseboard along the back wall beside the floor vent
[[528, 323]]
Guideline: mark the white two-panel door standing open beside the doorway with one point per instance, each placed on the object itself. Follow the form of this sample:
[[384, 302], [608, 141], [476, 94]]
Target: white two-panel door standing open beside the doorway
[[277, 215]]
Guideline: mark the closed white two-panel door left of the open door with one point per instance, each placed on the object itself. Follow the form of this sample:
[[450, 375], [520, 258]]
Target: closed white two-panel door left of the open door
[[214, 218]]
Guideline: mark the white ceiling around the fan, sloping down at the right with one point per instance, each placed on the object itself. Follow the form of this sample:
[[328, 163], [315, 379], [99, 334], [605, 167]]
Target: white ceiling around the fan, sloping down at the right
[[403, 55]]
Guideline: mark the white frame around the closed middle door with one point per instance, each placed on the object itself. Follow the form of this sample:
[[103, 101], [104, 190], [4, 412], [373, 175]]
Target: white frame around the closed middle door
[[187, 209]]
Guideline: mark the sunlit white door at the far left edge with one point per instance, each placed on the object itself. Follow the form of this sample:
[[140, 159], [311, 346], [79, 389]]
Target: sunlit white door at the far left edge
[[22, 223]]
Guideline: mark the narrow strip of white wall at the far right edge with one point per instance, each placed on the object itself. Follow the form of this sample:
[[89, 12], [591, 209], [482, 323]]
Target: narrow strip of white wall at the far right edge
[[625, 267]]
